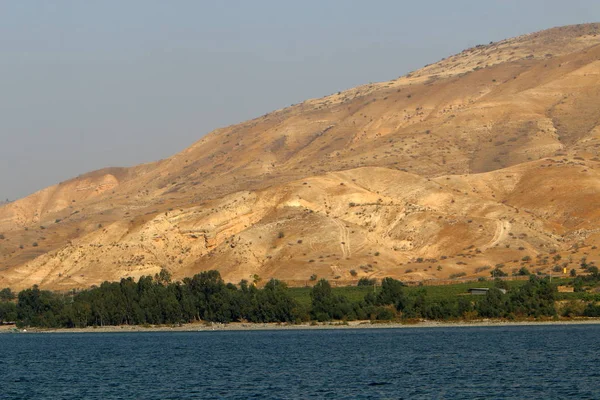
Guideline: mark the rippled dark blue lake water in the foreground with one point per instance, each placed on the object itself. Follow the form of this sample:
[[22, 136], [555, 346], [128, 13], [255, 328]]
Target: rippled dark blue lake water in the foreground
[[518, 362]]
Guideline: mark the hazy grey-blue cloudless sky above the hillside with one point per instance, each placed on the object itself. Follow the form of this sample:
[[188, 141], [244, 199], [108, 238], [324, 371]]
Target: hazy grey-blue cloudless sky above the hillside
[[86, 85]]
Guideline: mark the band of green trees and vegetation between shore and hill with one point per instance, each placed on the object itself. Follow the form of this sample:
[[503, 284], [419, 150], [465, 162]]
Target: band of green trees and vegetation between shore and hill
[[206, 297]]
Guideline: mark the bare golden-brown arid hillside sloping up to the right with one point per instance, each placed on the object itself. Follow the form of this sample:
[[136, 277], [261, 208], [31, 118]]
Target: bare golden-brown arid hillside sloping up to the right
[[489, 157]]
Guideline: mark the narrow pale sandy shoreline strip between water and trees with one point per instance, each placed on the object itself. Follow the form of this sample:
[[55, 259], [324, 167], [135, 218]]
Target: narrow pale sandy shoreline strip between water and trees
[[242, 326]]
